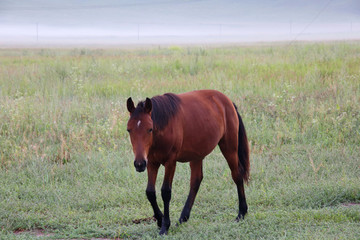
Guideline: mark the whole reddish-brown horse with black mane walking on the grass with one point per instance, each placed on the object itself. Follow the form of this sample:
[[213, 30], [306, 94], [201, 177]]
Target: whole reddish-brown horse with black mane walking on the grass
[[185, 128]]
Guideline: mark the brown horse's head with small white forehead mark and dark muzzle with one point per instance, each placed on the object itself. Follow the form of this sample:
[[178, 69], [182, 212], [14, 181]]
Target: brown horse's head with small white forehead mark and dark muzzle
[[140, 128]]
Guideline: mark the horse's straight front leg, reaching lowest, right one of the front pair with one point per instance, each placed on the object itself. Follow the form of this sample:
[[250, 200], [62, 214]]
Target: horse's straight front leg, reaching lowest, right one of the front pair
[[166, 195]]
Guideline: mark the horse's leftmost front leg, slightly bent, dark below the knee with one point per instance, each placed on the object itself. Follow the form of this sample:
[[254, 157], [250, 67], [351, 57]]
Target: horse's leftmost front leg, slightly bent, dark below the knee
[[152, 170]]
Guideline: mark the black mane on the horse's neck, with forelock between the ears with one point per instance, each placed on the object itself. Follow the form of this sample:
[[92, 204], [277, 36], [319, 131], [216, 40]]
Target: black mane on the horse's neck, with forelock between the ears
[[164, 107]]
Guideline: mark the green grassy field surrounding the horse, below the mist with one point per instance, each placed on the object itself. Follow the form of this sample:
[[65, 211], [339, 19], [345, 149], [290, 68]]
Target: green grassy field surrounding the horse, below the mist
[[66, 165]]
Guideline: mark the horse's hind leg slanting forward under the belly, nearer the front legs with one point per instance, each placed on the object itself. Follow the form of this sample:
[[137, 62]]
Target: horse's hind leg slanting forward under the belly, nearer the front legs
[[195, 180]]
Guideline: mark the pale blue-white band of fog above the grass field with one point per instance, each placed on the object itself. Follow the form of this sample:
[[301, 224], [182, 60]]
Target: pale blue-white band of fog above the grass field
[[110, 22]]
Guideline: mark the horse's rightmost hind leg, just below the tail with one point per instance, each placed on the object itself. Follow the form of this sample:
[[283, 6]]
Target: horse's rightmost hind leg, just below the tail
[[229, 150]]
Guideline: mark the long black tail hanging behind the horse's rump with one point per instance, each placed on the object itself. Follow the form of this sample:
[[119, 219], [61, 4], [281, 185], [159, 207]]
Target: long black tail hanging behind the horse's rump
[[243, 149]]
